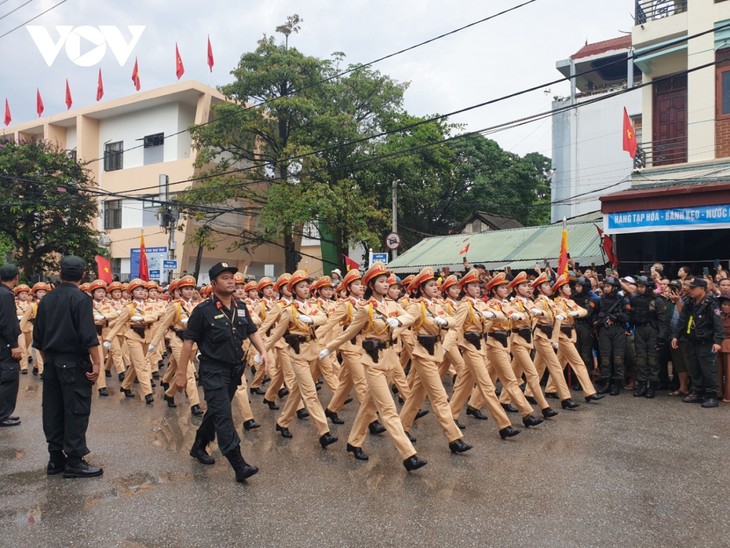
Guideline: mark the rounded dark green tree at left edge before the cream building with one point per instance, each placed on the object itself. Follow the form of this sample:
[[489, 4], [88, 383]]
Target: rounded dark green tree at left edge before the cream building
[[46, 207]]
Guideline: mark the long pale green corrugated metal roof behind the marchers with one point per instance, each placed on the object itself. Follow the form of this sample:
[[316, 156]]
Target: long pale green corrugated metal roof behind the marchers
[[518, 248]]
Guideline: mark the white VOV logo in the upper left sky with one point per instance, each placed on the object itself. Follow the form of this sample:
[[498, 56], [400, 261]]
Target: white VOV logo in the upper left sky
[[93, 41]]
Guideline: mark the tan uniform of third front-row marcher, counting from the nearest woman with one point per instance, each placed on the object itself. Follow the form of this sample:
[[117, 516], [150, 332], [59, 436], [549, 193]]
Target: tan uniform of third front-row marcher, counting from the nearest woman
[[468, 319]]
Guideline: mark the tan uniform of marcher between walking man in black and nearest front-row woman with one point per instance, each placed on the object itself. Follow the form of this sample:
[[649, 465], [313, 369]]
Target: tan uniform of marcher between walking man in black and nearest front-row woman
[[301, 360]]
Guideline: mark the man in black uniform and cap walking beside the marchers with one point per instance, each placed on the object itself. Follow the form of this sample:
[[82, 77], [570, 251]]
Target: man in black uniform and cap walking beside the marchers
[[219, 325]]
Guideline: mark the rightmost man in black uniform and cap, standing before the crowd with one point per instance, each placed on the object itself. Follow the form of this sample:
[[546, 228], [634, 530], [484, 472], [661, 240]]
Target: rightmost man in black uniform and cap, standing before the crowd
[[700, 323]]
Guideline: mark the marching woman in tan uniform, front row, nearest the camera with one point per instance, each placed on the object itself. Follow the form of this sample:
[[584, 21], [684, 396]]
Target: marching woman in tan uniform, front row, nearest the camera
[[373, 326]]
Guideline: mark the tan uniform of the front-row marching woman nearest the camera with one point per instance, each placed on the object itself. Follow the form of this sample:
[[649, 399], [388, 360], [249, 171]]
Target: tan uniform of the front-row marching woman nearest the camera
[[369, 327]]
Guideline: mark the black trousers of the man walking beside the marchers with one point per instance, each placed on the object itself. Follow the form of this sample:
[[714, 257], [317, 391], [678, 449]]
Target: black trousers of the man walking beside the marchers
[[219, 386]]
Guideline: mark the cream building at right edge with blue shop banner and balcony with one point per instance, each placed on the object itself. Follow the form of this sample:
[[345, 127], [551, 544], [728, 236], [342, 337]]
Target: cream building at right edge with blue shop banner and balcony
[[678, 207]]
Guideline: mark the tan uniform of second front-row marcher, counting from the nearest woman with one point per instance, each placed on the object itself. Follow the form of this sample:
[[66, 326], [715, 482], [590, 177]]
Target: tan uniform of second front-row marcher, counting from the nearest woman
[[426, 358]]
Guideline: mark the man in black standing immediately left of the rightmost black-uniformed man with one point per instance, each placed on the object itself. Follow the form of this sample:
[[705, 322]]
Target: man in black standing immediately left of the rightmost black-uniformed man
[[649, 319]]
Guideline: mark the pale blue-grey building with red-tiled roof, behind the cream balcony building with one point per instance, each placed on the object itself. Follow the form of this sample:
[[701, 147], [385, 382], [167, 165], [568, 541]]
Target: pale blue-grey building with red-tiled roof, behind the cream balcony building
[[587, 154]]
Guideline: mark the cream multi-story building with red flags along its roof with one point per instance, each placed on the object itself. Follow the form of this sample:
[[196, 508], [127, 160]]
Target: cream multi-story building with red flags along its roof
[[133, 145]]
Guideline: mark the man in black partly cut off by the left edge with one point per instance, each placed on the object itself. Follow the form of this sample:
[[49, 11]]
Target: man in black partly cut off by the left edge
[[9, 349]]
